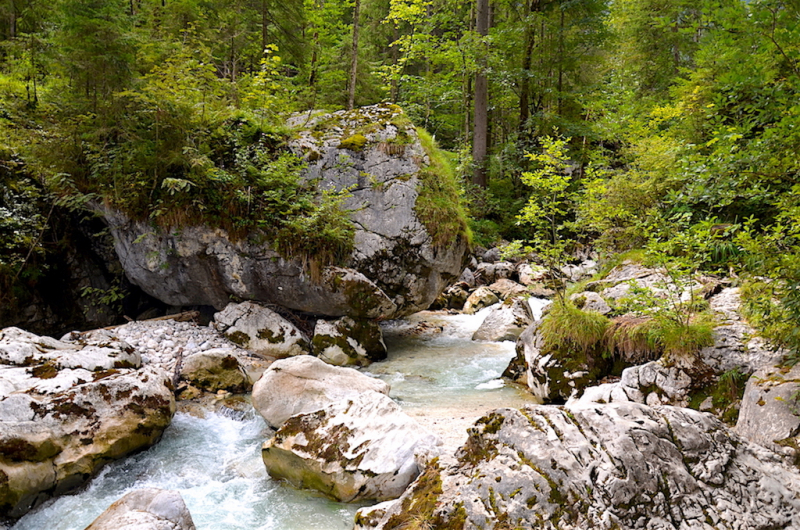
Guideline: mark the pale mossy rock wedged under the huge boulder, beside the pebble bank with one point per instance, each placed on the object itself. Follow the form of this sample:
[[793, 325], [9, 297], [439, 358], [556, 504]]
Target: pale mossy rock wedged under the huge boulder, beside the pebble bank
[[261, 330]]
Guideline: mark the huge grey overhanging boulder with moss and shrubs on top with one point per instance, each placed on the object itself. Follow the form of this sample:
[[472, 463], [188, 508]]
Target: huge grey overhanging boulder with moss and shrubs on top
[[400, 262]]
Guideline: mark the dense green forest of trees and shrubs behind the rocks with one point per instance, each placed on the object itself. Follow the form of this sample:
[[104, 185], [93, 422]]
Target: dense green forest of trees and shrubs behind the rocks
[[667, 129]]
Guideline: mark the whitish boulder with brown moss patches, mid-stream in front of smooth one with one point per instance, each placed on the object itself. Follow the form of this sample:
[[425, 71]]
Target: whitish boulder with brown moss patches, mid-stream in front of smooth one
[[365, 448]]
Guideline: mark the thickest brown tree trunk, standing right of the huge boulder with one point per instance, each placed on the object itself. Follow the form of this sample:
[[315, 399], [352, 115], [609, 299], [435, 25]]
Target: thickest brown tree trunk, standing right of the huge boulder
[[480, 134]]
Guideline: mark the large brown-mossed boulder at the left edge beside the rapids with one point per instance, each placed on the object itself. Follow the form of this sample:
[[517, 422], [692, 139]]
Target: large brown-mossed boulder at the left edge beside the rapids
[[67, 409]]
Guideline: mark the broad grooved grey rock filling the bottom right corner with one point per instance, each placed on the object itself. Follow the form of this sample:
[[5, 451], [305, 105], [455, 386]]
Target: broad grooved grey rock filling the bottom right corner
[[619, 466]]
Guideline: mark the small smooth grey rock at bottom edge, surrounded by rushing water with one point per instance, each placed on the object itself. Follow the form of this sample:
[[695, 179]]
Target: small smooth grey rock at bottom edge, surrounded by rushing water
[[146, 509]]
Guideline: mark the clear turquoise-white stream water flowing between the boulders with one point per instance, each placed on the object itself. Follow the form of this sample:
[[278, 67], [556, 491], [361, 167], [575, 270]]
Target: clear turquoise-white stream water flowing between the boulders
[[438, 374]]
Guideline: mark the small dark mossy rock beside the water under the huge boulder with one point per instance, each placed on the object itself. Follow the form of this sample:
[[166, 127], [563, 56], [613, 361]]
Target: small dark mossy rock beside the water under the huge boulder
[[346, 342]]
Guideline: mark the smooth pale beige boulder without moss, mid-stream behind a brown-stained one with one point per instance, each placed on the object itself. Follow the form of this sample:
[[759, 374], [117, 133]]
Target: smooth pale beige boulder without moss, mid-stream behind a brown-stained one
[[303, 384]]
